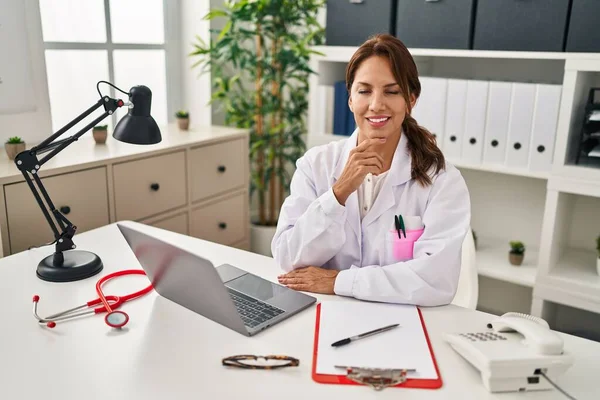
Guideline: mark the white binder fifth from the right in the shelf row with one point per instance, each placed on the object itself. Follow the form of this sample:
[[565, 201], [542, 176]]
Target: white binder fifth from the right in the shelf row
[[455, 118]]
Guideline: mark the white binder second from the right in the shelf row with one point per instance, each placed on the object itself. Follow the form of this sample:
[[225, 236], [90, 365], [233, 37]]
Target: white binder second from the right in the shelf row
[[520, 123]]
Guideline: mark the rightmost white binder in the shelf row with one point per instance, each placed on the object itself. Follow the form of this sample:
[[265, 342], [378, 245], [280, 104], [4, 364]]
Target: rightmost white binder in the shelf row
[[545, 121]]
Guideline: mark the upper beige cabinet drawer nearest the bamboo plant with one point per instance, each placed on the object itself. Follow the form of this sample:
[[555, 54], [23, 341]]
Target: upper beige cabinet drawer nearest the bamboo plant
[[217, 168]]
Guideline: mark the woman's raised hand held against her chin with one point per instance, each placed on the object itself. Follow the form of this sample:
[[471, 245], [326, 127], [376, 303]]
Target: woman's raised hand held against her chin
[[362, 160]]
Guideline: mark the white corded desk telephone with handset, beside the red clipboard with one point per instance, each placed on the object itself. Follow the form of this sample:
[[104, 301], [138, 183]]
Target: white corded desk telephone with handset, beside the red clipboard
[[515, 354]]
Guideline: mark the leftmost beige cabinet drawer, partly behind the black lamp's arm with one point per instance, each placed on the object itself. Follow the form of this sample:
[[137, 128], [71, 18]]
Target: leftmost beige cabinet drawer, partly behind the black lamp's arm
[[81, 196]]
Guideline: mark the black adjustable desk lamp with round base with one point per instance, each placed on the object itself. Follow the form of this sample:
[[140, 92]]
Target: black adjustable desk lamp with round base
[[137, 127]]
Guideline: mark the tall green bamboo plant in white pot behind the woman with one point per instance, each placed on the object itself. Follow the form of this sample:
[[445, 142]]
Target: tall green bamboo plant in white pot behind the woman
[[260, 71]]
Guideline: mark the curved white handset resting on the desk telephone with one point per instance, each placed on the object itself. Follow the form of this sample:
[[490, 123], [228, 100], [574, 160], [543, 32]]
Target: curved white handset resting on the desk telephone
[[536, 331]]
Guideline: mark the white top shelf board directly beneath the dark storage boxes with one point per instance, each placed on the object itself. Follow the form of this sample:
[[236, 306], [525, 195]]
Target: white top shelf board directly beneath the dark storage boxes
[[344, 53]]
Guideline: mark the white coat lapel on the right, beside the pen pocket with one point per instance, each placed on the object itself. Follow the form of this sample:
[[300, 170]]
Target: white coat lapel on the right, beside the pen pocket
[[399, 173]]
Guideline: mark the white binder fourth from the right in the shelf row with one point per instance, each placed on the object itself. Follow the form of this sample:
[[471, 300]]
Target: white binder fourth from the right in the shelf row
[[476, 107]]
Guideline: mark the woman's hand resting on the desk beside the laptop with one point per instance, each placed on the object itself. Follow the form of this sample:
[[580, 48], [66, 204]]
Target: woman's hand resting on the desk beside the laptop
[[310, 279]]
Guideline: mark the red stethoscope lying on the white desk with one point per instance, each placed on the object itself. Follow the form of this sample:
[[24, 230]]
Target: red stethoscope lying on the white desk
[[114, 319]]
